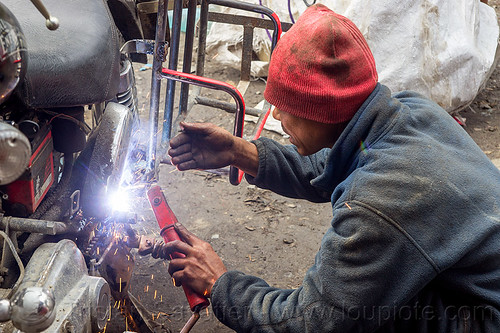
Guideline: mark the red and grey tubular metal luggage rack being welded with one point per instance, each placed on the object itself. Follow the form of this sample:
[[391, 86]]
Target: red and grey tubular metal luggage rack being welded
[[186, 100]]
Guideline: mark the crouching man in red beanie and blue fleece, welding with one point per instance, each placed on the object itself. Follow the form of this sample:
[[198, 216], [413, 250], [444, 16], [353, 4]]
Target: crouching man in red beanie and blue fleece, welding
[[414, 242]]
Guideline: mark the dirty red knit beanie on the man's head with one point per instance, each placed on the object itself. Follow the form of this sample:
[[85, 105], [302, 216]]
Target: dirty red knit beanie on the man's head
[[322, 69]]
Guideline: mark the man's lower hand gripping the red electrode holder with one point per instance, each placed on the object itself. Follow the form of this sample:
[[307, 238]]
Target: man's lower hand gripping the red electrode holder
[[200, 268]]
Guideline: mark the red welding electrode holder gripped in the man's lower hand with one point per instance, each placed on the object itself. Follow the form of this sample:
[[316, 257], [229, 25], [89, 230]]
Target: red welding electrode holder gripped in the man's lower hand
[[166, 220]]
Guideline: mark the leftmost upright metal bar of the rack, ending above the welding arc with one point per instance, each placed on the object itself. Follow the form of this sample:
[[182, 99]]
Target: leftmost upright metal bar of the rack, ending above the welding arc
[[158, 59]]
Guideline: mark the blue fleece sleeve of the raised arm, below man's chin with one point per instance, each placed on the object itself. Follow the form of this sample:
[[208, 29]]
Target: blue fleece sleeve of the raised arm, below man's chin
[[284, 171]]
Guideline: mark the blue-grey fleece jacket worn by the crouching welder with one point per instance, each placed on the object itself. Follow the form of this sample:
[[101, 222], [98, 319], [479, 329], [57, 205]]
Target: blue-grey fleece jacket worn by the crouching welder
[[414, 243]]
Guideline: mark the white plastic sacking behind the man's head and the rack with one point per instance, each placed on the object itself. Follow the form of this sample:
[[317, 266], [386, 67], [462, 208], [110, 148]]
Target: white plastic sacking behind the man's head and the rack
[[445, 50]]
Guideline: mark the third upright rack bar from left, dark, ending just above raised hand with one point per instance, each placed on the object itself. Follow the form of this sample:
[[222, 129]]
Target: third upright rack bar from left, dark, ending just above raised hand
[[188, 54]]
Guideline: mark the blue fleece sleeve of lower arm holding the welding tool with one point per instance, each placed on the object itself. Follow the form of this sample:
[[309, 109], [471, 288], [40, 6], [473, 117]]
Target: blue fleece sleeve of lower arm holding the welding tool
[[367, 268]]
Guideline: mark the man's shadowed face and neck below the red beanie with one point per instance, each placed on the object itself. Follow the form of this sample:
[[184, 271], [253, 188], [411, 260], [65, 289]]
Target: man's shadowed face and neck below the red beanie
[[307, 135]]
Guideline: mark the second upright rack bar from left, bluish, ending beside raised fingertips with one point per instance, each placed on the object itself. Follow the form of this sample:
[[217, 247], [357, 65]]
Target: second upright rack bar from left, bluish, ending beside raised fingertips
[[172, 64]]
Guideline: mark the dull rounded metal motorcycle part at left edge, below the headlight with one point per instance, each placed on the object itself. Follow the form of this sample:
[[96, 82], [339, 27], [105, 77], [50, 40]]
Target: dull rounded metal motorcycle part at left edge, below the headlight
[[15, 153]]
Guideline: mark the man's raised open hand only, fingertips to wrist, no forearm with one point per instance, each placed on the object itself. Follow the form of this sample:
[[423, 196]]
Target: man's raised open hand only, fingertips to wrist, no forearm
[[201, 146]]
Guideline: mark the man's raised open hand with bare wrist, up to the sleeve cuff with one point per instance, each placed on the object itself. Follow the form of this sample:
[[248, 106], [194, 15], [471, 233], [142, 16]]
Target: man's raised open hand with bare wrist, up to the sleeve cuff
[[206, 146]]
